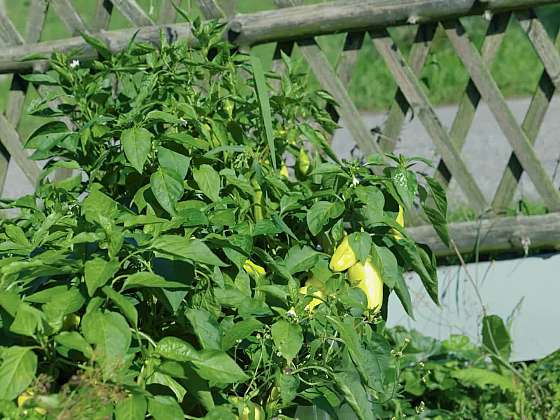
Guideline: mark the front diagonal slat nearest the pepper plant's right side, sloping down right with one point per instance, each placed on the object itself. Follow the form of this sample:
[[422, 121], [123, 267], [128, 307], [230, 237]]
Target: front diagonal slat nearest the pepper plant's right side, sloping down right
[[329, 81]]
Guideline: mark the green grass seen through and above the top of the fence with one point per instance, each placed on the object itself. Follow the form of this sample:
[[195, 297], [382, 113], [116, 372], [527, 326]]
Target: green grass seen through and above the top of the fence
[[516, 68]]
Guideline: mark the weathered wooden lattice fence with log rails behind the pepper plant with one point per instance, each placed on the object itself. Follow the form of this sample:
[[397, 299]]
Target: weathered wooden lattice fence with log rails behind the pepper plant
[[363, 22]]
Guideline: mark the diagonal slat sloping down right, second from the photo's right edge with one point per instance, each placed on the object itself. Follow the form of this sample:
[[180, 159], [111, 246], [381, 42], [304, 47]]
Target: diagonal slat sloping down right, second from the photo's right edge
[[496, 102]]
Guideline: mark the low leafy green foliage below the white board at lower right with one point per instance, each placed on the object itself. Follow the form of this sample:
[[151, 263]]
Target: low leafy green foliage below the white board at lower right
[[454, 378]]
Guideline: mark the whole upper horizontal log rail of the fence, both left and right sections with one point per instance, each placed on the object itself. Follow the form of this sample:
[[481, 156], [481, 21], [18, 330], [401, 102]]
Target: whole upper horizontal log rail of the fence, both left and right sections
[[291, 23]]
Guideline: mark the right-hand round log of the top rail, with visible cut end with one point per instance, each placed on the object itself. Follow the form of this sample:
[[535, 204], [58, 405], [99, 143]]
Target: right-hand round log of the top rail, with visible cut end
[[358, 15]]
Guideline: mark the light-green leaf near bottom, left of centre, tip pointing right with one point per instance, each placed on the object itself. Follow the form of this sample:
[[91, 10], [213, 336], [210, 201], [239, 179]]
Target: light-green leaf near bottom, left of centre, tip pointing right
[[217, 366]]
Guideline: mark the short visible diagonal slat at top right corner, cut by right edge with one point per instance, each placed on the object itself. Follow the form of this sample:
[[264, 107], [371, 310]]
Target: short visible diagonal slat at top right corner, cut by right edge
[[543, 45]]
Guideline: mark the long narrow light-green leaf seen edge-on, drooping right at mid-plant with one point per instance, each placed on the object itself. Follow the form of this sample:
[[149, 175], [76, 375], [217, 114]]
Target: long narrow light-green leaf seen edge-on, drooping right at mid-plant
[[189, 249]]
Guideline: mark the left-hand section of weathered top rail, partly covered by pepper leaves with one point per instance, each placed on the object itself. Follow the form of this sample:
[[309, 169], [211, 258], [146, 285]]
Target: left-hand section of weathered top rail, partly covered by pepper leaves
[[10, 60]]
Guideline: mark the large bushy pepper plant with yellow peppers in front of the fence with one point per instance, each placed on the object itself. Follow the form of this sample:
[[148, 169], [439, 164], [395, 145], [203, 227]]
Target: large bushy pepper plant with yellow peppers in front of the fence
[[166, 276]]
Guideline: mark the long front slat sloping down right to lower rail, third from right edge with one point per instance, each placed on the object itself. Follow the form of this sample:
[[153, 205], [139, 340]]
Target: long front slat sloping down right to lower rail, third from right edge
[[412, 90]]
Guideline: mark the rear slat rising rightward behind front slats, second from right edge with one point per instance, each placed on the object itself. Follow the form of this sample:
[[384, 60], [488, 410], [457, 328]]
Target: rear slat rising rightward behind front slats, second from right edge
[[469, 101]]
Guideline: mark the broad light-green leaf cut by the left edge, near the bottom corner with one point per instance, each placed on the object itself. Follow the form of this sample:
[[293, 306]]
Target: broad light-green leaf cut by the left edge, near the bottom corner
[[17, 371]]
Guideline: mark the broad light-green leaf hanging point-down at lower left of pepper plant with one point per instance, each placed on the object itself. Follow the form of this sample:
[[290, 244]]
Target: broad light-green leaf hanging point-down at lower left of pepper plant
[[111, 335]]
